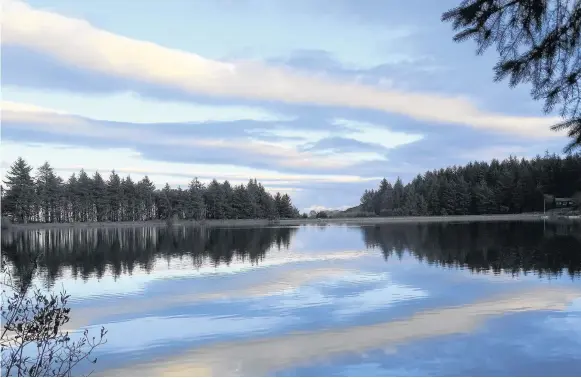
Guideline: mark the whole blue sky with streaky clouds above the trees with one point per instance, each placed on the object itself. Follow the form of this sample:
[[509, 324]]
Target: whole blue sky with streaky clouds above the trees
[[317, 99]]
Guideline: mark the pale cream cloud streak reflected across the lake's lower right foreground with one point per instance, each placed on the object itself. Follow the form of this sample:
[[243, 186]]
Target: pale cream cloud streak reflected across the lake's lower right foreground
[[264, 355]]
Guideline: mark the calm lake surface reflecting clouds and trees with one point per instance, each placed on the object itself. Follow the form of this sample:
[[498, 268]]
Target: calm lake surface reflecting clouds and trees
[[433, 299]]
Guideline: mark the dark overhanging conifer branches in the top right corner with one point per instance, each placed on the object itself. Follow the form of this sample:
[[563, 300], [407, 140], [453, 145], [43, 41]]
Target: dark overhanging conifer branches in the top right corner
[[539, 43]]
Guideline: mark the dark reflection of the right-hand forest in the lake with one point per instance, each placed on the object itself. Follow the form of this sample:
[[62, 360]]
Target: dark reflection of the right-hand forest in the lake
[[498, 247]]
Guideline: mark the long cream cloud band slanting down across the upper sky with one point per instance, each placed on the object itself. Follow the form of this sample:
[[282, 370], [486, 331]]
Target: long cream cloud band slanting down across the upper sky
[[79, 43]]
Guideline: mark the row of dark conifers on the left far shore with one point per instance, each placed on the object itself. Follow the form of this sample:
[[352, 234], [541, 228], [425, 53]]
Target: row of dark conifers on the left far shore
[[43, 196]]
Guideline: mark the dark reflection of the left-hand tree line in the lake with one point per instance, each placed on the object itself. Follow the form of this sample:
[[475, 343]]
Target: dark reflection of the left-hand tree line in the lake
[[91, 252]]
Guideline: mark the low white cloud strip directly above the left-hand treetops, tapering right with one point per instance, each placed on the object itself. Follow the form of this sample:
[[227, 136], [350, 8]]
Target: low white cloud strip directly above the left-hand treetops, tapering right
[[127, 161]]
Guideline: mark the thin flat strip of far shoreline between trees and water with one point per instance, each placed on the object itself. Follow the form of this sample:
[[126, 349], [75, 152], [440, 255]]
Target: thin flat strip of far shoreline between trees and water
[[286, 222]]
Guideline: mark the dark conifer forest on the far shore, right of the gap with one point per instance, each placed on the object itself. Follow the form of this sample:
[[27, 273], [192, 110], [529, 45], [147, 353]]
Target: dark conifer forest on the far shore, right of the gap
[[498, 187]]
